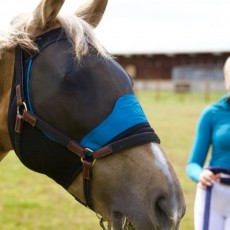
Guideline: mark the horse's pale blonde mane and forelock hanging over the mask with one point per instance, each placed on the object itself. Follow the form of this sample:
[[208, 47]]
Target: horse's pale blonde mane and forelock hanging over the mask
[[80, 33]]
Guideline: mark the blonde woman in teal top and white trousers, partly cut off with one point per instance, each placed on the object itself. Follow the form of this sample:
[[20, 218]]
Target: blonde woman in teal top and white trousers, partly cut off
[[212, 202]]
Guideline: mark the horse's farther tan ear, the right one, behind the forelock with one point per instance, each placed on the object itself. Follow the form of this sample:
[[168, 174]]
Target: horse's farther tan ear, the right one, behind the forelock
[[92, 11]]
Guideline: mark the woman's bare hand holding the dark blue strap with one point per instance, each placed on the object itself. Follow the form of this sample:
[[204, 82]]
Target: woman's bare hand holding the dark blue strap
[[207, 178]]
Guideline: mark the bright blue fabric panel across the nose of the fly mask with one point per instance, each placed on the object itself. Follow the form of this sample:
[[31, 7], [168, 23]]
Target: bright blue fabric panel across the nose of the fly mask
[[127, 113]]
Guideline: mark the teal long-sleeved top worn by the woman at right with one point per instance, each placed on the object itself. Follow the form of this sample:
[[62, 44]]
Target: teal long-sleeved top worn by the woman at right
[[213, 131]]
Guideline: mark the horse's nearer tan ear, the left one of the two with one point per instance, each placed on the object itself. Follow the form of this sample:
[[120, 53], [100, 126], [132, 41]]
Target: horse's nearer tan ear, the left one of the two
[[44, 15]]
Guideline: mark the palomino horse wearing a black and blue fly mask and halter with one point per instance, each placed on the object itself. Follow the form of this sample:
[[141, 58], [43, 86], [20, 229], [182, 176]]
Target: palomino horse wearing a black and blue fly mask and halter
[[68, 110]]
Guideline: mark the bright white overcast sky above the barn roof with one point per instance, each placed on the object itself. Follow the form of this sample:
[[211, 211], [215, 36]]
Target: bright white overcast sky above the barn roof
[[152, 26]]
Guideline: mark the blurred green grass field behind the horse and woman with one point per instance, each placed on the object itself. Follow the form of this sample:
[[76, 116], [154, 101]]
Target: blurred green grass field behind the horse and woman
[[30, 201]]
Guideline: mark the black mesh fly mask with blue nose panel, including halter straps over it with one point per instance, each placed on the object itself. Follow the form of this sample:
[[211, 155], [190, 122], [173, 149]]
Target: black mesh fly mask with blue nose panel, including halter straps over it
[[65, 113]]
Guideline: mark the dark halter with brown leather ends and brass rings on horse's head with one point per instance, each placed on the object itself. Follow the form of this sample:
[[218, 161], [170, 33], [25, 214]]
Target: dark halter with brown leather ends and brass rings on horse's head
[[87, 156]]
